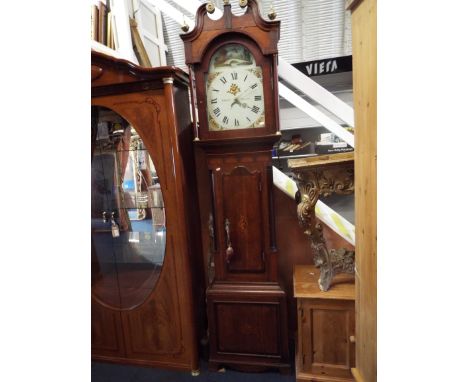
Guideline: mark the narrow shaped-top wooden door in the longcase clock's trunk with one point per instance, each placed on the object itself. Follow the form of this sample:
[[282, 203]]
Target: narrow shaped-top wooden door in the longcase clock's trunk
[[240, 223]]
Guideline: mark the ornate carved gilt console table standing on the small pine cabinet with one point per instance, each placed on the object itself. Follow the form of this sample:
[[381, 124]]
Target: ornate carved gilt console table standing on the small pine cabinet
[[323, 179]]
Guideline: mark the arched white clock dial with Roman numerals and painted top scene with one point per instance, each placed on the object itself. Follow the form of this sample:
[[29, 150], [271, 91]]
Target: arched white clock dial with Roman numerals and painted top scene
[[234, 90]]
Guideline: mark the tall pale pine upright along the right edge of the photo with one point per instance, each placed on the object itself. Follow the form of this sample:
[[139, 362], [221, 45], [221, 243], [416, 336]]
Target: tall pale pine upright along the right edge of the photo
[[364, 20]]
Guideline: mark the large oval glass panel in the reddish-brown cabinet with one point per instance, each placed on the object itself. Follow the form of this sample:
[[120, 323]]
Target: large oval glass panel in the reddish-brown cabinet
[[128, 227]]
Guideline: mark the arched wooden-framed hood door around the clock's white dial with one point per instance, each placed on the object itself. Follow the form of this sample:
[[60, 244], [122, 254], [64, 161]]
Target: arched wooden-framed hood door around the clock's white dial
[[234, 92]]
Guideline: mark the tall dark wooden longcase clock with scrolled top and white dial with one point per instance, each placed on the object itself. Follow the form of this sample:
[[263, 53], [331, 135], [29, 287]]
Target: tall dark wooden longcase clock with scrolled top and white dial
[[233, 70]]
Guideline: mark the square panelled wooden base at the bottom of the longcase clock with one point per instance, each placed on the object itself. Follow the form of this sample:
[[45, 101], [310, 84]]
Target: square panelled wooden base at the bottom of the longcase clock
[[248, 330]]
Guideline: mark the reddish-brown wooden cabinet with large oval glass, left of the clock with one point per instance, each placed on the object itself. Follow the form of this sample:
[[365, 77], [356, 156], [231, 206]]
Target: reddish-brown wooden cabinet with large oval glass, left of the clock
[[144, 231]]
